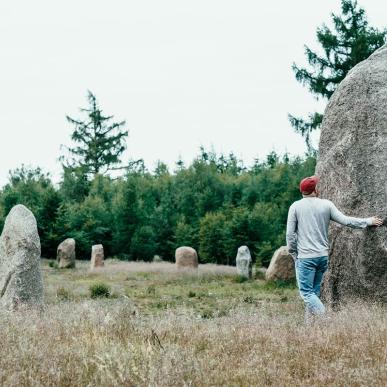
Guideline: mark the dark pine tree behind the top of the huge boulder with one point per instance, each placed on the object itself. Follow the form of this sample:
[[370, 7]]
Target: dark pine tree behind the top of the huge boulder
[[351, 41]]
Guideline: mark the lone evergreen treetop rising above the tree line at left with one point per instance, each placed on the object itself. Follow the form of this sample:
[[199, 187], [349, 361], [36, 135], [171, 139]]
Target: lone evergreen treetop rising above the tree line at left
[[100, 141]]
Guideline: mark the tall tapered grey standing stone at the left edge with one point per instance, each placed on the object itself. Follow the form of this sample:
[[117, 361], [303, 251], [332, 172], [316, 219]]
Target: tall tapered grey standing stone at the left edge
[[20, 276]]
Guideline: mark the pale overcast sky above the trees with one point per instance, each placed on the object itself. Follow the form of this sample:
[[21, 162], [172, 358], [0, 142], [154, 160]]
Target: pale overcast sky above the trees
[[182, 74]]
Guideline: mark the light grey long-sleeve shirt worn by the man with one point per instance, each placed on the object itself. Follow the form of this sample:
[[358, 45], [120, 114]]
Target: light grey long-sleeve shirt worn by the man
[[307, 226]]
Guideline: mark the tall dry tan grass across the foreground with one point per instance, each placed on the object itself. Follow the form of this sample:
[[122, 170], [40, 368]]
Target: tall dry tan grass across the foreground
[[108, 343]]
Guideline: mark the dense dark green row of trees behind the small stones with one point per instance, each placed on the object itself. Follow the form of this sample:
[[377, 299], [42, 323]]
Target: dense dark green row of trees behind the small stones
[[214, 205]]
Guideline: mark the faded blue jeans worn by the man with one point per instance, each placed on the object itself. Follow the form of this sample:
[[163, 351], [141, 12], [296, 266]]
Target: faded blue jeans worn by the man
[[309, 273]]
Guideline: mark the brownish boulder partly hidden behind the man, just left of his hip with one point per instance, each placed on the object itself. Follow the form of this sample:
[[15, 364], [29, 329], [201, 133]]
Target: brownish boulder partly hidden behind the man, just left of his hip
[[281, 266]]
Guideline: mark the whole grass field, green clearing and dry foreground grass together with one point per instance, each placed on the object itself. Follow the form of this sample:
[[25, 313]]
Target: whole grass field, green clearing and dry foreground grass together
[[161, 327]]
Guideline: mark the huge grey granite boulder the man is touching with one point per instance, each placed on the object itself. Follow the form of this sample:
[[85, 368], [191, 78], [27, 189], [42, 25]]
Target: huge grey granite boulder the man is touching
[[352, 166]]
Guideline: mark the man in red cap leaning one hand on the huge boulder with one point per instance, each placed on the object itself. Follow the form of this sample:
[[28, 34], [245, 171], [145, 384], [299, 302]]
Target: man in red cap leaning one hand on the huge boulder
[[307, 240]]
